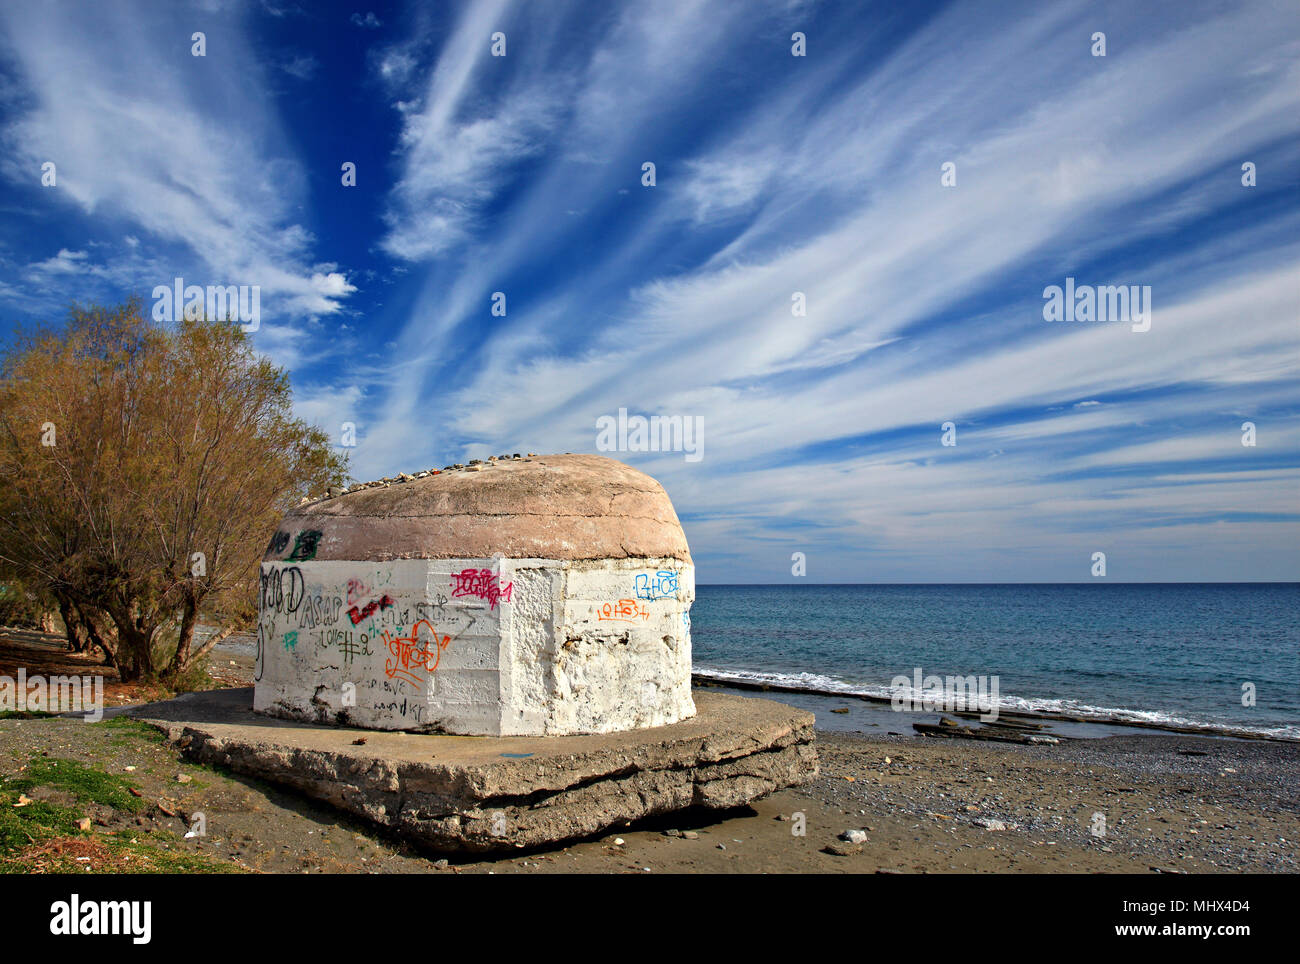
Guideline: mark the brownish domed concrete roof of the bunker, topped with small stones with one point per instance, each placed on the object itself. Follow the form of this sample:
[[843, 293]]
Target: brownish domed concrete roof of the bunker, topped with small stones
[[562, 507]]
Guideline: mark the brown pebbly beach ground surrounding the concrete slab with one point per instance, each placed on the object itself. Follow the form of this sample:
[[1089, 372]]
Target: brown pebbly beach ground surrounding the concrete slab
[[1171, 805]]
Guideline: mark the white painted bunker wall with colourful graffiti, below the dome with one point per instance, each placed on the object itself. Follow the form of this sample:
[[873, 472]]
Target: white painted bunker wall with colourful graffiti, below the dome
[[569, 648]]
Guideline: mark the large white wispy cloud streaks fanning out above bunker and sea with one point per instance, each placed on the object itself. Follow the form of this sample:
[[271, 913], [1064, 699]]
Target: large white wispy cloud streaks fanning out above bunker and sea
[[925, 303]]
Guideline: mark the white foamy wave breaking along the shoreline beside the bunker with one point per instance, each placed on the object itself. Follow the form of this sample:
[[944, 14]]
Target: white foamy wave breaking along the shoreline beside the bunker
[[821, 685]]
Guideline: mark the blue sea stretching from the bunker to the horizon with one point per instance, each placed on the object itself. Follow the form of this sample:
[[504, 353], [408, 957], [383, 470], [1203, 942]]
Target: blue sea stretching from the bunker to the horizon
[[1173, 654]]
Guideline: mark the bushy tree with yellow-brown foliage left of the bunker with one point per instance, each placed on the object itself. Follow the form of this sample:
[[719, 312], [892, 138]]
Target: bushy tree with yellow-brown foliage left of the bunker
[[148, 468]]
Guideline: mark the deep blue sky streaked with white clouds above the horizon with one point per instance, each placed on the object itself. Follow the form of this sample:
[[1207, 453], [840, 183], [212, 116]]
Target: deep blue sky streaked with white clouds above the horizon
[[775, 175]]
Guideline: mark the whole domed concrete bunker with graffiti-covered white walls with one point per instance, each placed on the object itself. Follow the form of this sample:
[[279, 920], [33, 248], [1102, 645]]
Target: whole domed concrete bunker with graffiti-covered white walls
[[547, 597]]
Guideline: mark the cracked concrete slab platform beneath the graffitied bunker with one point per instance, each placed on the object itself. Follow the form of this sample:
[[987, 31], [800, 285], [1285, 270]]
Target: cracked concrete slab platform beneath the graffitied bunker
[[497, 793]]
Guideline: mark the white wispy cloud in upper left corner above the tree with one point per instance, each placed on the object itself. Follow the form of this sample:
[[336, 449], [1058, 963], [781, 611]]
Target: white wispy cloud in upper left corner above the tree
[[181, 150]]
